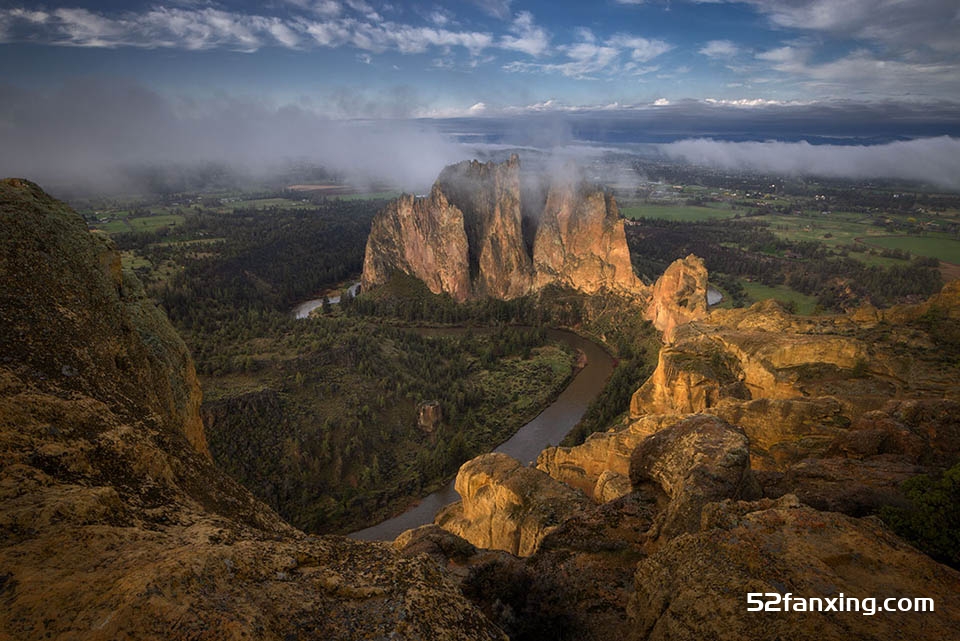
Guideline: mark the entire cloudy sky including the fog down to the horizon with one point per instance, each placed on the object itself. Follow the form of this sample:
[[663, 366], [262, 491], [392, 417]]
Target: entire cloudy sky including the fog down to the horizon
[[118, 78]]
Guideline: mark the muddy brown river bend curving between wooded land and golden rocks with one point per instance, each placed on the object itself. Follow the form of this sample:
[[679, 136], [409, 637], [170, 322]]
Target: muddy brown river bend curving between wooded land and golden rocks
[[548, 428]]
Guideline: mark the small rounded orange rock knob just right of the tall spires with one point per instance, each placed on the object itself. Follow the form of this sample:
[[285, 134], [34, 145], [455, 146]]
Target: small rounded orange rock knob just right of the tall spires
[[679, 296]]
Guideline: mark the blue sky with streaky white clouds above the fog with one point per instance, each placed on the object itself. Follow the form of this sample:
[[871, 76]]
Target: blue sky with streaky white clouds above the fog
[[368, 58]]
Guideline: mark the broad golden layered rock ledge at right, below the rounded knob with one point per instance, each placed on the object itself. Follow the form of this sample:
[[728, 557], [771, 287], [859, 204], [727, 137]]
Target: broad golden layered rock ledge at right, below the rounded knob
[[765, 353]]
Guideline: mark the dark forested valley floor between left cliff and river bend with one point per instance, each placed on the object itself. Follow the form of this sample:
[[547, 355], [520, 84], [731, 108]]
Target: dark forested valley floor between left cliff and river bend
[[319, 417]]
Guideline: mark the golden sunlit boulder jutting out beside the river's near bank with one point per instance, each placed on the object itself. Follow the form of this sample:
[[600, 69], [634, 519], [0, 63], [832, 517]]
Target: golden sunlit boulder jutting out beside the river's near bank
[[506, 506]]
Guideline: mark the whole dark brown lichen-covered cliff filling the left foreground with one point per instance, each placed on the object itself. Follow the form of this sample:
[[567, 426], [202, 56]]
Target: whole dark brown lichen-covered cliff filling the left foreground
[[113, 522]]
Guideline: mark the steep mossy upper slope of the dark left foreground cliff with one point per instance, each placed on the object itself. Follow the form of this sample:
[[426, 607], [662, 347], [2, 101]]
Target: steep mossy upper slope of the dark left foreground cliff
[[73, 320]]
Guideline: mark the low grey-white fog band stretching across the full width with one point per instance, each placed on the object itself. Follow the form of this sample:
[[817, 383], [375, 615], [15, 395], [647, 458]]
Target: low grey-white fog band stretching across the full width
[[105, 137]]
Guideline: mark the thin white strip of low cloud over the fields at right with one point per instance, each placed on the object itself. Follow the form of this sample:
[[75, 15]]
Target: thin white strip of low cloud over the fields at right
[[929, 160]]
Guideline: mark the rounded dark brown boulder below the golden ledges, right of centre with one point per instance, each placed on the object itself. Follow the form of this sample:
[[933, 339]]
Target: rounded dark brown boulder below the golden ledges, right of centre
[[699, 460]]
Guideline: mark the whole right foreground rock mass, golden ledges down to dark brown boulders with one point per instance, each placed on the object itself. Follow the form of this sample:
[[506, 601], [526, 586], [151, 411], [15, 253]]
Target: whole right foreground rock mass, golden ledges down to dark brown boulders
[[828, 413]]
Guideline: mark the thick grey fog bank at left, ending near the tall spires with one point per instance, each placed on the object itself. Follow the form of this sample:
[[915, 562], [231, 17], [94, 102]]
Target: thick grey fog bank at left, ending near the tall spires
[[92, 133]]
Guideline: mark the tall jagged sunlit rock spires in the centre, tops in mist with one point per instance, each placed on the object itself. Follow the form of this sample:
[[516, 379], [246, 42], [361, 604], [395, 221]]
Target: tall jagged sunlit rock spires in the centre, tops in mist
[[467, 238]]
